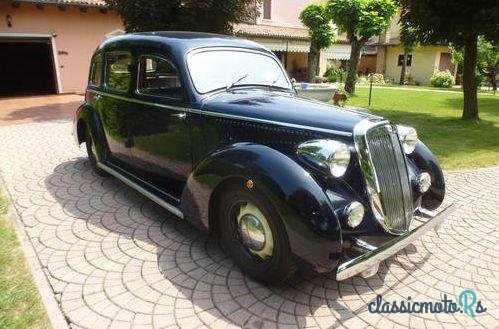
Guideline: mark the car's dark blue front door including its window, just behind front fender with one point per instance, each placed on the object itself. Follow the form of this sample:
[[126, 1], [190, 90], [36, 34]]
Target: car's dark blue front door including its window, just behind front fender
[[159, 131]]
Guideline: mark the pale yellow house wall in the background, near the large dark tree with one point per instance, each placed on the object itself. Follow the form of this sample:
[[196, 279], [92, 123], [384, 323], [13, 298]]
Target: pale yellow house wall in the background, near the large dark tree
[[425, 61]]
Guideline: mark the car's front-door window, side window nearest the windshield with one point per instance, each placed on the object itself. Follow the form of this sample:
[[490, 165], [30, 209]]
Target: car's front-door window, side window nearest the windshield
[[158, 77]]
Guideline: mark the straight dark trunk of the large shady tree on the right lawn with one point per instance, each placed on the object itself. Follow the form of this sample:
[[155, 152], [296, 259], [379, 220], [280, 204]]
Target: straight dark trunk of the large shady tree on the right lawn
[[470, 104]]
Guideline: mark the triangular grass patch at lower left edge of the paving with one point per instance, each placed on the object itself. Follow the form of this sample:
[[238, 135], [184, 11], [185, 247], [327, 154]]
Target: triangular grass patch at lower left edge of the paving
[[20, 304]]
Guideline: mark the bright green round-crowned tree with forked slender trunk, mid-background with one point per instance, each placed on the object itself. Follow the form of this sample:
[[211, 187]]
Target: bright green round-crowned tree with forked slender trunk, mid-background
[[360, 20]]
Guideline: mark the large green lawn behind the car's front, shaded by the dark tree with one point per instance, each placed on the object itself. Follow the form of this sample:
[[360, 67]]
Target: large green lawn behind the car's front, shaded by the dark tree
[[436, 116]]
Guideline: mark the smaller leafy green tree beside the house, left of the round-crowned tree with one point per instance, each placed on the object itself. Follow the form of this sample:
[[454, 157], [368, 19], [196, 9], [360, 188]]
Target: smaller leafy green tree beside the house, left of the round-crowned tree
[[314, 16]]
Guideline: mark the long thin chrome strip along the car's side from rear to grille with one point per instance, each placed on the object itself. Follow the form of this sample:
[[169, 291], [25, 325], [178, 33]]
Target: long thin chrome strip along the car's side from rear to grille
[[224, 115]]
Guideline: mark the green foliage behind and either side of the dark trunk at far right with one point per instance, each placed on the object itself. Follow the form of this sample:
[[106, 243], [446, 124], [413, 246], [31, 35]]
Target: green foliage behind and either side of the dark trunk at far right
[[487, 59]]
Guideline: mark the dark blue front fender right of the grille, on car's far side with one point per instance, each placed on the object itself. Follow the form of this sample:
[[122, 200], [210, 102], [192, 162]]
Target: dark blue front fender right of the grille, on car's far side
[[426, 161]]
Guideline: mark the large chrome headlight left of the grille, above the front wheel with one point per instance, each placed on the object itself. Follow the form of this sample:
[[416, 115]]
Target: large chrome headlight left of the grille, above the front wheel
[[328, 155]]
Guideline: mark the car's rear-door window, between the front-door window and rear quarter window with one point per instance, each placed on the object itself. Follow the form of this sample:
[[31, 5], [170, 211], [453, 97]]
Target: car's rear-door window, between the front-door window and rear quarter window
[[118, 74]]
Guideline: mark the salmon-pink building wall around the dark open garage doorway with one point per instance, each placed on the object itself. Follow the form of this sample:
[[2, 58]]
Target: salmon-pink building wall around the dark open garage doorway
[[76, 36]]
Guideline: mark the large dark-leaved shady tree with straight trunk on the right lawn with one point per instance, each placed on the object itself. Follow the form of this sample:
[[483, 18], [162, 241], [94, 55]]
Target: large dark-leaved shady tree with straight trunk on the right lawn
[[459, 22]]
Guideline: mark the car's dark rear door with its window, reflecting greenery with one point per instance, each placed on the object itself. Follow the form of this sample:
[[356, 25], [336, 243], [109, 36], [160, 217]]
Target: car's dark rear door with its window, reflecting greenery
[[113, 108]]
